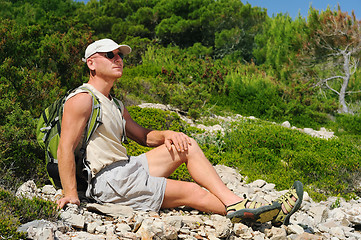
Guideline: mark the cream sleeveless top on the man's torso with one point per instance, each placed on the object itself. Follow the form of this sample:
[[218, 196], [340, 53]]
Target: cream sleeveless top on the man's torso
[[105, 145]]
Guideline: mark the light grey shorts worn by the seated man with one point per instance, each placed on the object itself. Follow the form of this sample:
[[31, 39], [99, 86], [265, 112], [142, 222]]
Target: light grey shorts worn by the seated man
[[129, 183]]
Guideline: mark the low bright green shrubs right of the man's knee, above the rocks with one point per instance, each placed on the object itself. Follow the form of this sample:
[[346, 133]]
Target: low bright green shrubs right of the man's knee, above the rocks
[[279, 155]]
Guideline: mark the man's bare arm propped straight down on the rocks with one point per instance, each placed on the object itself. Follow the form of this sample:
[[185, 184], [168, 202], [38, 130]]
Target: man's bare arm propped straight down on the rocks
[[77, 111]]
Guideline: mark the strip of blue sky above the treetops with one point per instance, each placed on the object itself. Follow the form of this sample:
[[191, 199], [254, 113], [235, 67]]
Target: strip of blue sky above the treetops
[[292, 7]]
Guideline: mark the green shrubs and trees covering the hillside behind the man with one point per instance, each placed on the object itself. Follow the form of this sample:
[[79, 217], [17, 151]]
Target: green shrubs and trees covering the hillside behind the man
[[204, 57]]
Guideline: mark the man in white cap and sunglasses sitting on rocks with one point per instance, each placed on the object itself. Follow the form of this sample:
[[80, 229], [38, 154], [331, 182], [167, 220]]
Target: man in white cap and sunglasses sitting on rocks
[[141, 182]]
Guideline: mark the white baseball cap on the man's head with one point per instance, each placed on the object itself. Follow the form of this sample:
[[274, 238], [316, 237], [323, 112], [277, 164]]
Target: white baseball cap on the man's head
[[105, 45]]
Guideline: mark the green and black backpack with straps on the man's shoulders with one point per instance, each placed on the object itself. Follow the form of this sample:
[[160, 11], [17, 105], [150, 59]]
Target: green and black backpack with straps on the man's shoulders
[[48, 135]]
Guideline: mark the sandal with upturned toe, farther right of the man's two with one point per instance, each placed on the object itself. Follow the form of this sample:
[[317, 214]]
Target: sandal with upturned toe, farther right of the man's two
[[290, 205]]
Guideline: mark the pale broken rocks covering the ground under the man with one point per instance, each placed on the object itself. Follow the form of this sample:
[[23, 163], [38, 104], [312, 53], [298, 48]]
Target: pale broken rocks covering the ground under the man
[[331, 219]]
